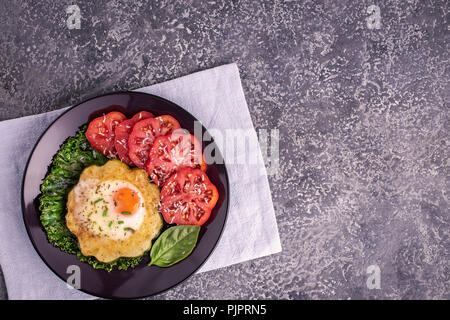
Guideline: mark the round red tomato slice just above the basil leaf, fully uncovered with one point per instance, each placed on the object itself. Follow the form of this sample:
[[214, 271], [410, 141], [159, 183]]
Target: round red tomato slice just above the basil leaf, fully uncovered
[[188, 197]]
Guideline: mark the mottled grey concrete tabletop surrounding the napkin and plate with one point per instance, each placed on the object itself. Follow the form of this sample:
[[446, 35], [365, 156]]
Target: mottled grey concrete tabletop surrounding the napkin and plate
[[363, 117]]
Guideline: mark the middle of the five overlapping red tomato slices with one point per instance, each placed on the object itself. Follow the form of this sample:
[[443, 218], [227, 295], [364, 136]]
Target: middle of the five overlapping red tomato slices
[[143, 135]]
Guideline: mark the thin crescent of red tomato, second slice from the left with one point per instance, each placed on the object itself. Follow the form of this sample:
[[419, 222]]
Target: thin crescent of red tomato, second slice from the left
[[122, 133]]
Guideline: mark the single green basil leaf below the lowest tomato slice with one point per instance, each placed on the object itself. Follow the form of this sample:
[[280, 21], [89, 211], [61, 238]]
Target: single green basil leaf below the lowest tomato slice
[[174, 244]]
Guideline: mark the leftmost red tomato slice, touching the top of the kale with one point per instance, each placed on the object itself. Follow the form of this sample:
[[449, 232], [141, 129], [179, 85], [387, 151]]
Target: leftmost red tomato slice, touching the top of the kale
[[101, 132]]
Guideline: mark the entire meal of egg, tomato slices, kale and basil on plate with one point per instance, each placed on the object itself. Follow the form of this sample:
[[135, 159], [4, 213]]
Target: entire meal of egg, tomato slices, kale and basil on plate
[[106, 212]]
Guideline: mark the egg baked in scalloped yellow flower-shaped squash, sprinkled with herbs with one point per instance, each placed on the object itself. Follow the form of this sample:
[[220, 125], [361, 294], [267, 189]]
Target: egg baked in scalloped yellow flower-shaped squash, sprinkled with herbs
[[113, 211]]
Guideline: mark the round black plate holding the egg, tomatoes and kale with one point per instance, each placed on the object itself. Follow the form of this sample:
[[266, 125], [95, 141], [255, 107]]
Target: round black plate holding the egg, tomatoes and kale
[[141, 281]]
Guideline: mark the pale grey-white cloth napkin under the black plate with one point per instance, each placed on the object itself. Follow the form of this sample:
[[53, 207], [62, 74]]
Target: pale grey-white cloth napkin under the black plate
[[213, 96]]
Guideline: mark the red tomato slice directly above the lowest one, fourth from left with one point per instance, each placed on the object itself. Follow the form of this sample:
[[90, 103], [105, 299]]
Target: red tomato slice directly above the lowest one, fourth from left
[[171, 153]]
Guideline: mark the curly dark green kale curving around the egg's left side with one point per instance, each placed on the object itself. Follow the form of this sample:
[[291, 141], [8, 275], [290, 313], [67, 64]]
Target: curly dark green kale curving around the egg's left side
[[74, 155]]
